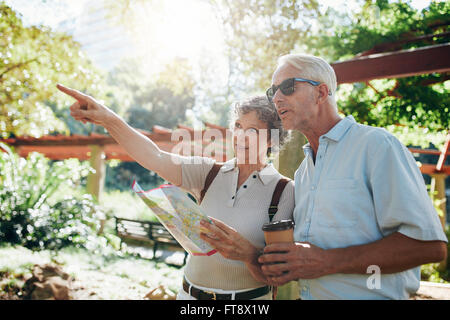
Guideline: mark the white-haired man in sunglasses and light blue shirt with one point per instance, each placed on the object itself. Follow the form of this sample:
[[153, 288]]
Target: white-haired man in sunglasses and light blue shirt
[[361, 206]]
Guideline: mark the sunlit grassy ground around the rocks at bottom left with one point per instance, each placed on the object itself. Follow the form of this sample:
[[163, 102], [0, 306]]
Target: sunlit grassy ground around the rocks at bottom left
[[96, 277]]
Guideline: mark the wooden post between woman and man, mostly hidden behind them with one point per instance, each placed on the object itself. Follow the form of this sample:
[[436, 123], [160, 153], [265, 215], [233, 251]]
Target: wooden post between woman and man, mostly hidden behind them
[[287, 162]]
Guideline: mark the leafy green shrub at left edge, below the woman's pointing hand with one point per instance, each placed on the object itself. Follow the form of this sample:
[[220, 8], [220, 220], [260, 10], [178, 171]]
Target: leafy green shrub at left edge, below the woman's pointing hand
[[38, 205]]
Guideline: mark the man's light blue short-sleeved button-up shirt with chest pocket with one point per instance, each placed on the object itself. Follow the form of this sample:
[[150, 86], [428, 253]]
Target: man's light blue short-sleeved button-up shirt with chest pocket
[[363, 186]]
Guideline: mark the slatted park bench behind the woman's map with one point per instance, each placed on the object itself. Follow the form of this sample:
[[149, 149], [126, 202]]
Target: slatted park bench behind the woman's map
[[146, 231]]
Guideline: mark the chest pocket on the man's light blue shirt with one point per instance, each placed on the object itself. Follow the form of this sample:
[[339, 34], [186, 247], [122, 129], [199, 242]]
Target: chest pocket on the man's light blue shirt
[[334, 207]]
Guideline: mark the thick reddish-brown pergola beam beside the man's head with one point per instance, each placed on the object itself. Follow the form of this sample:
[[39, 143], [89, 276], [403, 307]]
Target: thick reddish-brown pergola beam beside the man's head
[[396, 64]]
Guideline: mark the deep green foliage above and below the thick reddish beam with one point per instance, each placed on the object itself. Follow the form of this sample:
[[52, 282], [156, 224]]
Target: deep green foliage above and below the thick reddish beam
[[415, 108]]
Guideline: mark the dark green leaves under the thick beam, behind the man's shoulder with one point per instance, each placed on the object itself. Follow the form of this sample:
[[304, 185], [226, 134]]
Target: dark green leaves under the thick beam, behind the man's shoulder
[[416, 113]]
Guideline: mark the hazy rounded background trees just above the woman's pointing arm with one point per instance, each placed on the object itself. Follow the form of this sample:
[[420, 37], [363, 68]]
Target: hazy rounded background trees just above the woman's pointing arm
[[147, 102]]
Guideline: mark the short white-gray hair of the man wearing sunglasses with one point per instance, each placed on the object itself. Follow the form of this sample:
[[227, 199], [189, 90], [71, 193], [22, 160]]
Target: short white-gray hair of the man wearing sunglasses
[[313, 68]]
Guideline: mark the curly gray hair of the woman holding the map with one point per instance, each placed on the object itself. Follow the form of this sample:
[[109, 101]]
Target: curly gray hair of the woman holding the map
[[267, 113]]
